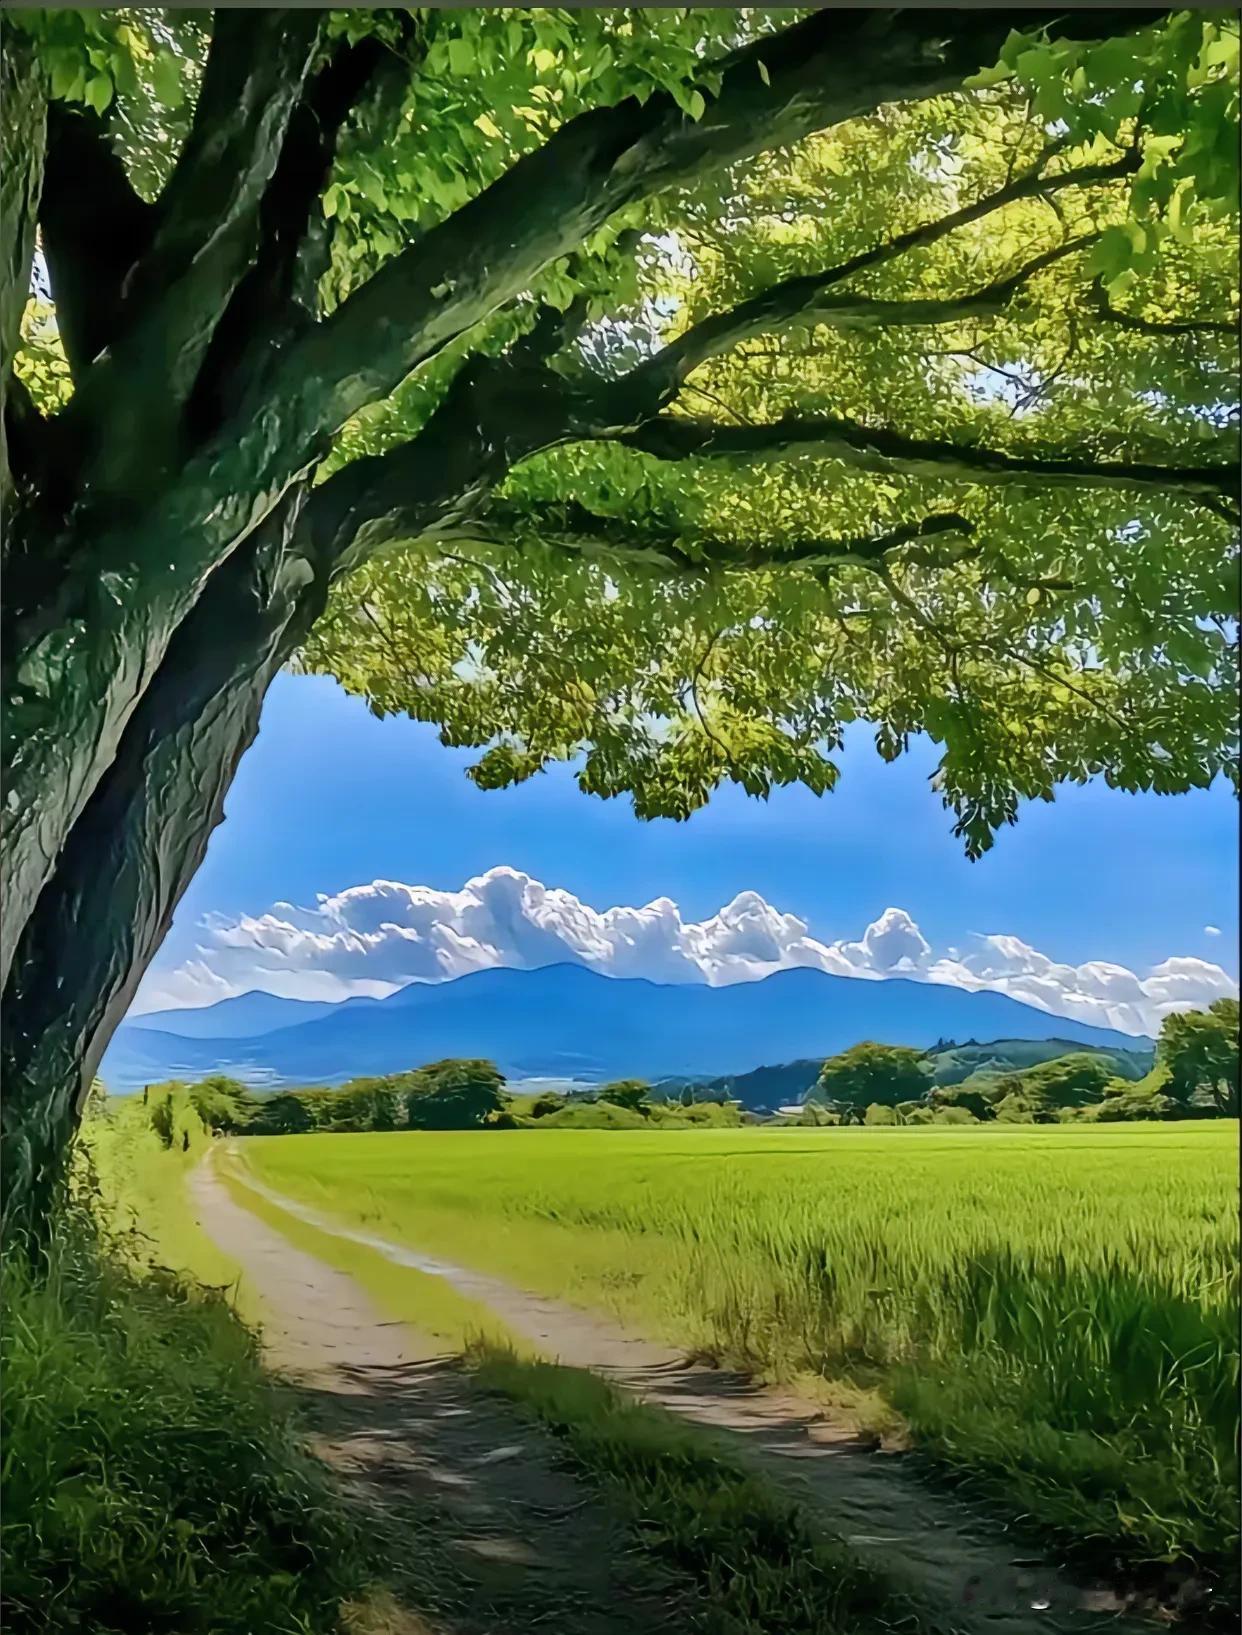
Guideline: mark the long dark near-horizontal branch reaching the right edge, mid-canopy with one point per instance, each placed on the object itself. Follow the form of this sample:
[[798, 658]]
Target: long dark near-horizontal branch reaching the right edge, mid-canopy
[[882, 449]]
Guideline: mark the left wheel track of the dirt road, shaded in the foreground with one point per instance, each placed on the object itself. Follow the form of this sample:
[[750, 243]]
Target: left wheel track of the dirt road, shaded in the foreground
[[491, 1536]]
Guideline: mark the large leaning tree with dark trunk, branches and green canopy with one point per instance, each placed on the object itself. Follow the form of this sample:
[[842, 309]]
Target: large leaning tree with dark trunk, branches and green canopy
[[664, 388]]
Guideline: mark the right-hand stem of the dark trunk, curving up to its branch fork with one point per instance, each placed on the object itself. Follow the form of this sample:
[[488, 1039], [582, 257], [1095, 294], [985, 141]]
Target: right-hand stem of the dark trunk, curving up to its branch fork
[[145, 831]]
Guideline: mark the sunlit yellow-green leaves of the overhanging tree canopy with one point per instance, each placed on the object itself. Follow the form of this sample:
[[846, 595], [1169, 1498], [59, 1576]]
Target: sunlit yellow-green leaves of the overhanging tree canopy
[[723, 617]]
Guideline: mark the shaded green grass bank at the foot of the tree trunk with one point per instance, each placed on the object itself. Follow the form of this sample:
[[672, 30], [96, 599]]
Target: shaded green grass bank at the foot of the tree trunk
[[153, 1480]]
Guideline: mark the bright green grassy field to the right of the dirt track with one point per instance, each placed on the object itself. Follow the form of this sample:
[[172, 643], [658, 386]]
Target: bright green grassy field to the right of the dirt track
[[1053, 1312]]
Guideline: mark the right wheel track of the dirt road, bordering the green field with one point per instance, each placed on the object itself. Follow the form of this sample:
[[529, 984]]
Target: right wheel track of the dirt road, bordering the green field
[[926, 1541]]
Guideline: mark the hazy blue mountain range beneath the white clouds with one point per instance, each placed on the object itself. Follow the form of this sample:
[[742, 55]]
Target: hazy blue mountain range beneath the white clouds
[[565, 1021]]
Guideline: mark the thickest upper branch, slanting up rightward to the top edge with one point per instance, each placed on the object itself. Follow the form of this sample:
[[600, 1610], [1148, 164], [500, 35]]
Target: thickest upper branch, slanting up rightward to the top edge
[[834, 66]]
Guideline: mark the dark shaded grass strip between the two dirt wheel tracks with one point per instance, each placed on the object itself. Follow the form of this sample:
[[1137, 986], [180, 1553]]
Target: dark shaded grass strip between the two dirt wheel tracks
[[757, 1561]]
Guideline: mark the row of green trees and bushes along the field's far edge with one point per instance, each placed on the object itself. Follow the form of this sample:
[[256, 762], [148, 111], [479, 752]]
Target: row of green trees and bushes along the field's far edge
[[1195, 1075]]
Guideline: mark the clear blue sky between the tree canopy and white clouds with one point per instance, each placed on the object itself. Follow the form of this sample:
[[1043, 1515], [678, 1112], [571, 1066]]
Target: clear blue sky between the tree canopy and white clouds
[[333, 799]]
